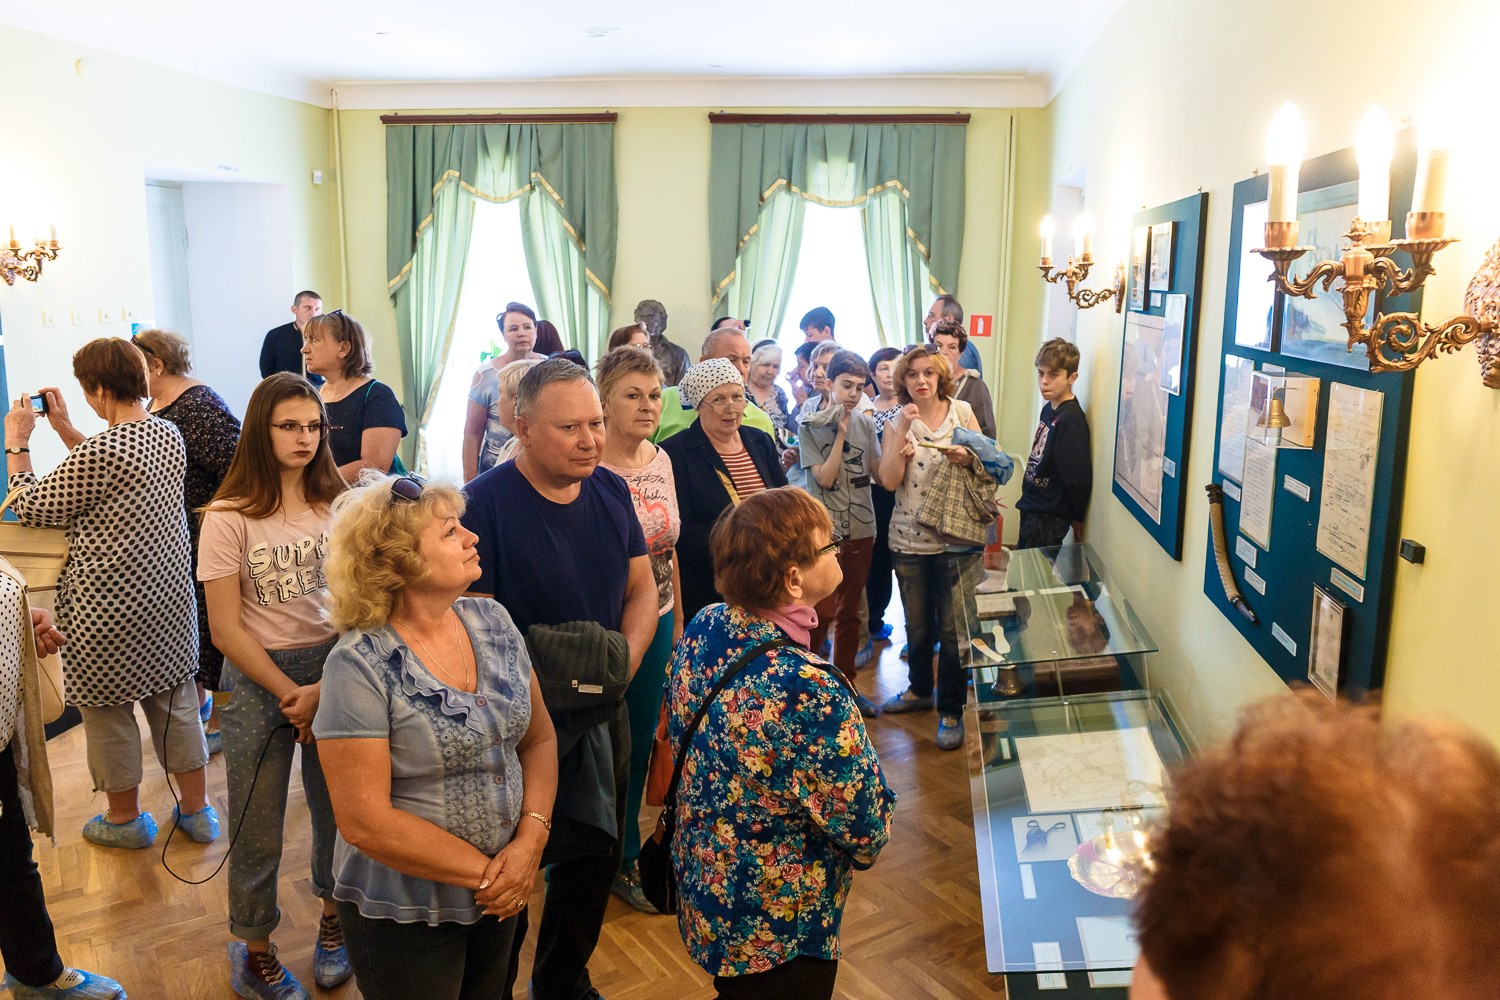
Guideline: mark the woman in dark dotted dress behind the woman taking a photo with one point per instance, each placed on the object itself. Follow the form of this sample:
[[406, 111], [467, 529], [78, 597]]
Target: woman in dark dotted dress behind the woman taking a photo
[[211, 431]]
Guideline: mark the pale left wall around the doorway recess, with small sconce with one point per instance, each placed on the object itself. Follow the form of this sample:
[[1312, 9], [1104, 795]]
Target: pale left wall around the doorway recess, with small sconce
[[79, 151]]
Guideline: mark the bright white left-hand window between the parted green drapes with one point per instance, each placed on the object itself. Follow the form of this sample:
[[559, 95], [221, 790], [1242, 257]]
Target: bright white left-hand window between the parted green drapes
[[494, 274]]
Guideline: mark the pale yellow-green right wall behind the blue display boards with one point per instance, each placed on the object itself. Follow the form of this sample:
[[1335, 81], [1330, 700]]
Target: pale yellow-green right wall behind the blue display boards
[[1177, 98]]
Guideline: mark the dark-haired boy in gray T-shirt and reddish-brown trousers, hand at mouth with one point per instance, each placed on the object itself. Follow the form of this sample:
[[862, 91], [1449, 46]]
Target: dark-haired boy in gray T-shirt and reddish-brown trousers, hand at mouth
[[841, 451]]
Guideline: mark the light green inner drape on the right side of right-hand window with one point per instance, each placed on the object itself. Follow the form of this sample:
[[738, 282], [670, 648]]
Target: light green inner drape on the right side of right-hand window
[[899, 277]]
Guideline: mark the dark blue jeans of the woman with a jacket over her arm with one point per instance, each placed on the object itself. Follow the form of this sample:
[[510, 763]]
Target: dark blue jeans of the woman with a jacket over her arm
[[940, 588]]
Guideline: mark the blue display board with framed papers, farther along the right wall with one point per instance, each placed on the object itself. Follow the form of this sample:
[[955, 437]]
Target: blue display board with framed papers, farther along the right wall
[[1156, 401]]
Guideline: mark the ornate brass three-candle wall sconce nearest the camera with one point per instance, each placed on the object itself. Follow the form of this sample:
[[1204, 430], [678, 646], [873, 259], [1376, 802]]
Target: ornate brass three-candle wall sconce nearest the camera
[[1397, 343]]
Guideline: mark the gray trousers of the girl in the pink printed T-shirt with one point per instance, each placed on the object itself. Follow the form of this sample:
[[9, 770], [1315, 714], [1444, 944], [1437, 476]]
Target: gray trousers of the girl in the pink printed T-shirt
[[253, 723]]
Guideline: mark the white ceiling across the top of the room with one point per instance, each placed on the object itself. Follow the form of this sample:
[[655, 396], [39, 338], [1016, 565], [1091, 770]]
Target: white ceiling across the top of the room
[[301, 49]]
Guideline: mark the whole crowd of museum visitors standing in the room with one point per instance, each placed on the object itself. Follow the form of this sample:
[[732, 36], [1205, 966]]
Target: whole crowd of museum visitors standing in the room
[[473, 680]]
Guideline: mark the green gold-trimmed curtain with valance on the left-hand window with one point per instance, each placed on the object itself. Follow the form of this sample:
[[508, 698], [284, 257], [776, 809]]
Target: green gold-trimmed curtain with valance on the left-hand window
[[433, 173]]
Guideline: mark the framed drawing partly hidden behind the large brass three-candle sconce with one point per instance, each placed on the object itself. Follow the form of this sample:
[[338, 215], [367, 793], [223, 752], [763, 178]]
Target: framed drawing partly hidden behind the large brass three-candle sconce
[[1313, 328]]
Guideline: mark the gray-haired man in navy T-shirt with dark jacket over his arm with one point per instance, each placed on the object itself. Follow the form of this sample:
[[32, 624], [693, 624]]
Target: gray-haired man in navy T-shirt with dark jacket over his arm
[[560, 543]]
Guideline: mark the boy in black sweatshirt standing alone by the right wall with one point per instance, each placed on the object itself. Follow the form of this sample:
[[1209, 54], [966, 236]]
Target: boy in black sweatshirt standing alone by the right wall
[[1060, 473]]
